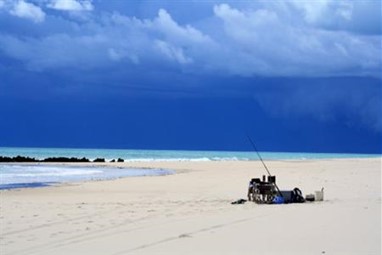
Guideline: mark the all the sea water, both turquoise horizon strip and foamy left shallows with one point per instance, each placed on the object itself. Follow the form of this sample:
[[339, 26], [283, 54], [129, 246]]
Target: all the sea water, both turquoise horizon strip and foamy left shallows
[[35, 175]]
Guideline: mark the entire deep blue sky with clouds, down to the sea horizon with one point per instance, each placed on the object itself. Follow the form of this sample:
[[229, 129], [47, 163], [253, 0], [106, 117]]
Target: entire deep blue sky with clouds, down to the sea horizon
[[296, 75]]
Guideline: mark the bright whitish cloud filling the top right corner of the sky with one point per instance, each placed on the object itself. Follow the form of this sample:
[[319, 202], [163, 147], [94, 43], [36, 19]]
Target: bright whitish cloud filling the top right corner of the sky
[[363, 17]]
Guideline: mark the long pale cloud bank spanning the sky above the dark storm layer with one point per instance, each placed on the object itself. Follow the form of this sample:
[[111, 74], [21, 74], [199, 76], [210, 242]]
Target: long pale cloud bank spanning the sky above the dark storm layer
[[259, 41]]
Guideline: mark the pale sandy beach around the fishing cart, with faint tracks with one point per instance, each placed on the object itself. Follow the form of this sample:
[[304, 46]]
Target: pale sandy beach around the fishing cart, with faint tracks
[[190, 212]]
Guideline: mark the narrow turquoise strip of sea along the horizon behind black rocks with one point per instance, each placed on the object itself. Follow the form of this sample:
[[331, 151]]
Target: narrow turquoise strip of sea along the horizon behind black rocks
[[169, 155]]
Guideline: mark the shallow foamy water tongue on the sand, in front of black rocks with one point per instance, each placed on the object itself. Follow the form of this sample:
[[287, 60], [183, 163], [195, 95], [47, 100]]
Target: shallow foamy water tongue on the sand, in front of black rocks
[[46, 174]]
